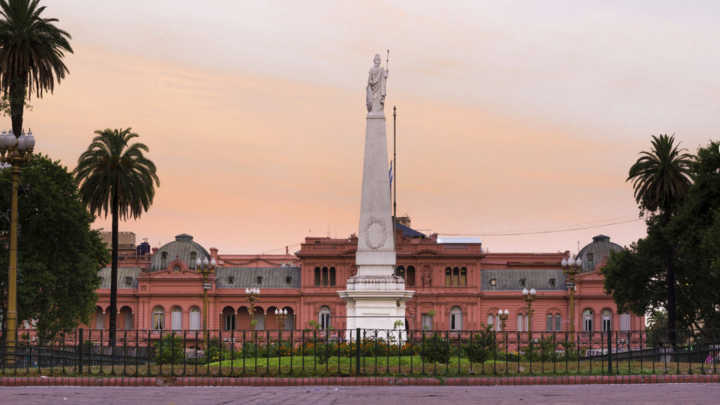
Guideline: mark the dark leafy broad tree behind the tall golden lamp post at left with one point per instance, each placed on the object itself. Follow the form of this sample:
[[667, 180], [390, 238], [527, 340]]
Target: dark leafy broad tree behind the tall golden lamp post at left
[[59, 254]]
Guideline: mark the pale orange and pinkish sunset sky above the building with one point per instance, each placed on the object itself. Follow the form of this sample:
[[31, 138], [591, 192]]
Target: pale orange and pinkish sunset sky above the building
[[514, 117]]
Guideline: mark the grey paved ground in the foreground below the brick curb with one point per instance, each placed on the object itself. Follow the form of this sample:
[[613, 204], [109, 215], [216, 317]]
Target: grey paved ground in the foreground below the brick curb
[[317, 395]]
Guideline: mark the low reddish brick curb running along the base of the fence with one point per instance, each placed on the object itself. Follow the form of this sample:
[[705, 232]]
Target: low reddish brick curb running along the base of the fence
[[399, 381]]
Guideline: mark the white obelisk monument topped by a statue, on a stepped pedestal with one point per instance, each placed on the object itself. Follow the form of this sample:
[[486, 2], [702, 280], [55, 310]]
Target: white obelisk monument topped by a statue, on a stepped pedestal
[[375, 298]]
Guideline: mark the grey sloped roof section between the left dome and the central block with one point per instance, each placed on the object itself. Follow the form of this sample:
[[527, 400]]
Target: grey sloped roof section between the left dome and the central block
[[246, 277]]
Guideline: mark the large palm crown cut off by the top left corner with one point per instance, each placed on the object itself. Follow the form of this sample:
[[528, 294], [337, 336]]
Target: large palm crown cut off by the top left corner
[[31, 54]]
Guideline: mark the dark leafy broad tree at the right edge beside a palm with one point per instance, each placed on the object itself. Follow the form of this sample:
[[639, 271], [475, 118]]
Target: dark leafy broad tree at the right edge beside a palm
[[636, 277]]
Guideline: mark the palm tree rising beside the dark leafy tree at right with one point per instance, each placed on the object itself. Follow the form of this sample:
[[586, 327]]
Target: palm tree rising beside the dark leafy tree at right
[[661, 179]]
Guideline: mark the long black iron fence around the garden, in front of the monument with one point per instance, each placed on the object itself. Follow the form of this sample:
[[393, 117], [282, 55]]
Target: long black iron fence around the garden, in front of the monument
[[355, 352]]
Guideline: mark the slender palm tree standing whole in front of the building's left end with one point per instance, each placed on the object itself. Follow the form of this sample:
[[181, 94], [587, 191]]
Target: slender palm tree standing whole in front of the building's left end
[[116, 177]]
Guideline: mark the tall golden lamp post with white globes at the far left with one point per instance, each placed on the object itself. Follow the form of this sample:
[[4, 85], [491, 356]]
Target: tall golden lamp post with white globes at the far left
[[14, 151]]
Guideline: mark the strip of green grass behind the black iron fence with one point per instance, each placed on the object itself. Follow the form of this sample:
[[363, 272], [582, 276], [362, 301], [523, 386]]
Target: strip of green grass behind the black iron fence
[[304, 366]]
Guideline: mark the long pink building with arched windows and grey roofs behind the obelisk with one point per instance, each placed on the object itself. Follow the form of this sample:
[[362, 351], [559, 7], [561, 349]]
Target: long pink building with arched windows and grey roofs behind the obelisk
[[458, 286]]
